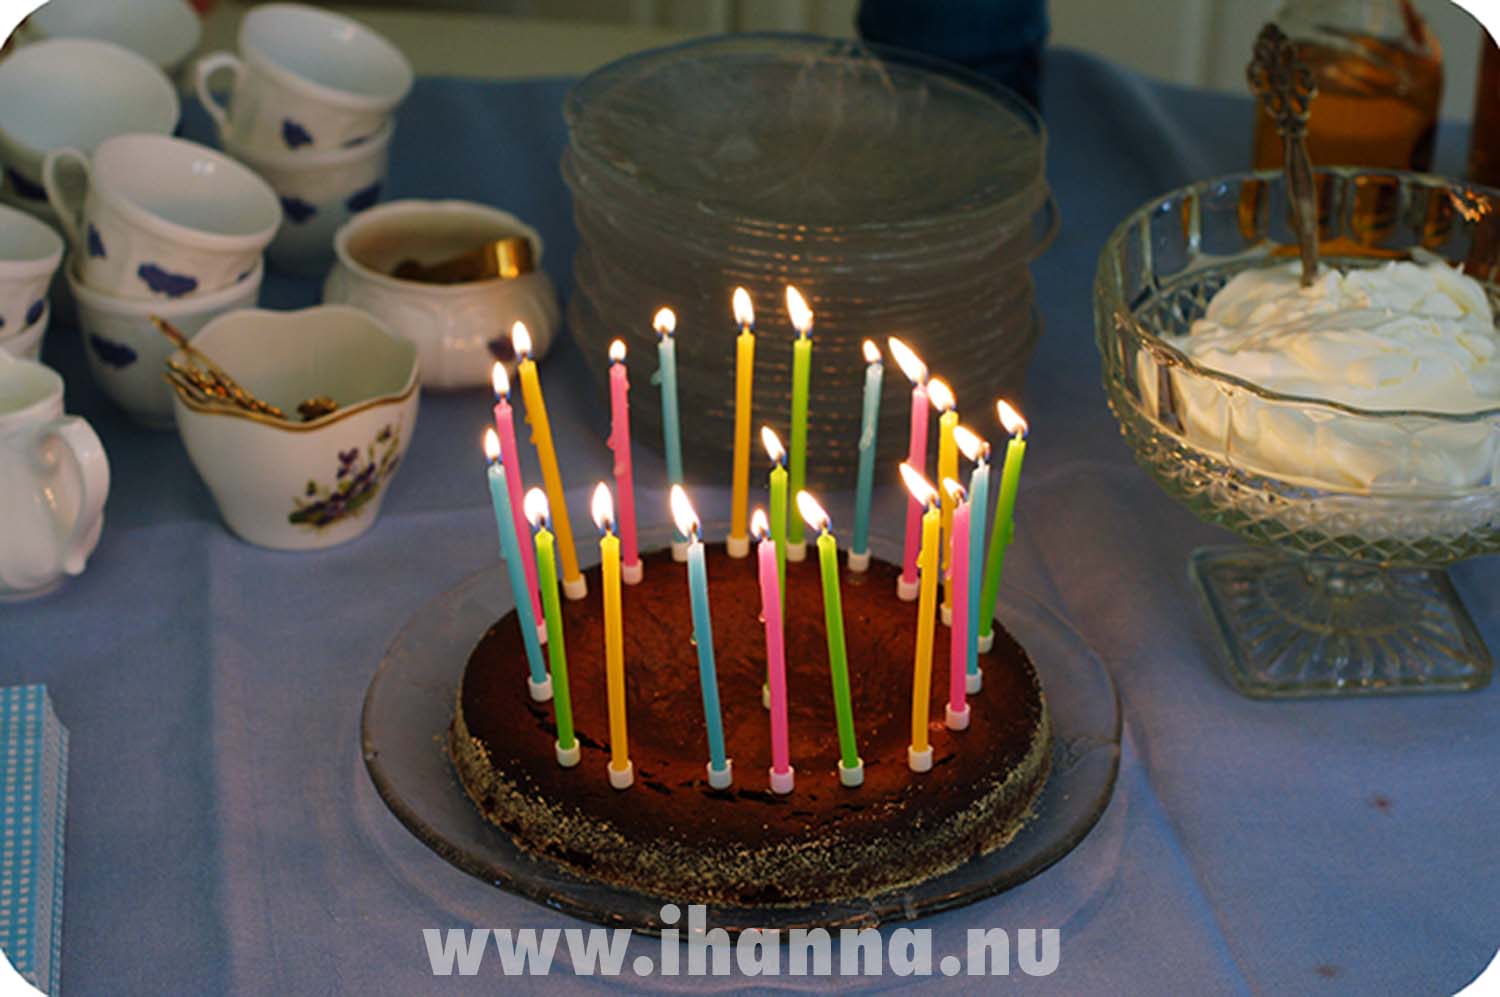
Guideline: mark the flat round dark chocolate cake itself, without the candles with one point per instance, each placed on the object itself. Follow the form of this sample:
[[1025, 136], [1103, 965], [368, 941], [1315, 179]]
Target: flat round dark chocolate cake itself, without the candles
[[671, 834]]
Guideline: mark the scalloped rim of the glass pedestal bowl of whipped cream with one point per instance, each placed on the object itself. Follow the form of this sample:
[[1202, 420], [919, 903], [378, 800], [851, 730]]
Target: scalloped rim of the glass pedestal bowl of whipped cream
[[1111, 290]]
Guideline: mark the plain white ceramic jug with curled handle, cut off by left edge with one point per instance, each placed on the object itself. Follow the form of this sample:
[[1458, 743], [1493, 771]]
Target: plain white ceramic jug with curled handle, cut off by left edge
[[55, 479]]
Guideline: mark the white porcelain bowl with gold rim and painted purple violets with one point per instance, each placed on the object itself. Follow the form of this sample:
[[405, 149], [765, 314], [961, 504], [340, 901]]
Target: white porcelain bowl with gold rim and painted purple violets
[[304, 487]]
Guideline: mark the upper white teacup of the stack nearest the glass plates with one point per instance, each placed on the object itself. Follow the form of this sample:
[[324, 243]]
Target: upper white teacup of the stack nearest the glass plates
[[305, 80]]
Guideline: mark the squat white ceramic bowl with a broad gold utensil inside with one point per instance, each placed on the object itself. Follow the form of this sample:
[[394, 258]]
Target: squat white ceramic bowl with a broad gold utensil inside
[[460, 331]]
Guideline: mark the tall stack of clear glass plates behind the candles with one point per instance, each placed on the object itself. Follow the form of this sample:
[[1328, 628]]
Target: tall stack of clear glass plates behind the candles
[[901, 196]]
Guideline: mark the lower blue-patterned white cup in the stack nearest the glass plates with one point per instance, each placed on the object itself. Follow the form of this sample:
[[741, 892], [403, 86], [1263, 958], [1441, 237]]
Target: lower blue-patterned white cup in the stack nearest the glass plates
[[319, 191]]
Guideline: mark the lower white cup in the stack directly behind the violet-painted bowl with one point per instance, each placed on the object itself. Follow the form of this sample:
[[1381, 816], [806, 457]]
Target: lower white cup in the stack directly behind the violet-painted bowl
[[128, 355]]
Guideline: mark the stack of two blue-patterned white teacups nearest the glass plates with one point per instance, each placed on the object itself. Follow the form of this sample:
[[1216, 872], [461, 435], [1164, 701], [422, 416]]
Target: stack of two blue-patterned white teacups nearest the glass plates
[[311, 109]]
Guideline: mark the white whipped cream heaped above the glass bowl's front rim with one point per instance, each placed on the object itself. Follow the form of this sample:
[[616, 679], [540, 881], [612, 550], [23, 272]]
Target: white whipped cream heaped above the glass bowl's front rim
[[1400, 337]]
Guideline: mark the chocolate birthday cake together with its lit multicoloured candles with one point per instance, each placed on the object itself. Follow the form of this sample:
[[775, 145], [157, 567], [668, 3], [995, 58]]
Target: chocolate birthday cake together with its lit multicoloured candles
[[769, 722]]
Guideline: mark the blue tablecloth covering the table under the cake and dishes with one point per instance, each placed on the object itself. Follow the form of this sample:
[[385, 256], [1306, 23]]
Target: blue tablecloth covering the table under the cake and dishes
[[224, 836]]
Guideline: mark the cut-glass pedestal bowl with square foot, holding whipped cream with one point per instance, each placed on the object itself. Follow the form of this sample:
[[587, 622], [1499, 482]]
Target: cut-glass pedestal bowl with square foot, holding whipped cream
[[1354, 513]]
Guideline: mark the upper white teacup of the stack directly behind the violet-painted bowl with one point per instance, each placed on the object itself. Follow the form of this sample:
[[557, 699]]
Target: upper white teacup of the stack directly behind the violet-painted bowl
[[160, 218]]
